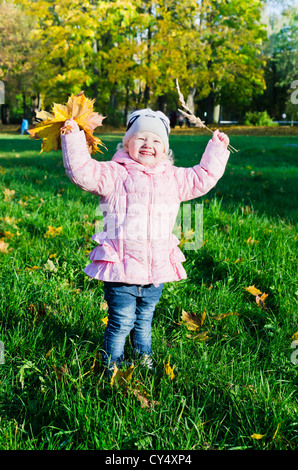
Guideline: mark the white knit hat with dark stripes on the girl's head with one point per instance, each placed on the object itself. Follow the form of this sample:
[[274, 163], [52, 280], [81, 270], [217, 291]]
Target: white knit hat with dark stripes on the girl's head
[[151, 121]]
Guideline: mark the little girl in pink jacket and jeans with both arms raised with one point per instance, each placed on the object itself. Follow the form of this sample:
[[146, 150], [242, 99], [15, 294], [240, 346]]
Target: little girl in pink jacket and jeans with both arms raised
[[140, 191]]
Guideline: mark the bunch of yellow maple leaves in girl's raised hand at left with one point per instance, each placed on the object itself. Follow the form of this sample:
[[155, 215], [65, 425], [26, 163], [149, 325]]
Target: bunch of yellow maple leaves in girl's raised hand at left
[[80, 109]]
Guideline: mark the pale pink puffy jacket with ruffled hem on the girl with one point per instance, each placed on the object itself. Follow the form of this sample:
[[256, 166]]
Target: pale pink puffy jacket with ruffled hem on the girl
[[140, 205]]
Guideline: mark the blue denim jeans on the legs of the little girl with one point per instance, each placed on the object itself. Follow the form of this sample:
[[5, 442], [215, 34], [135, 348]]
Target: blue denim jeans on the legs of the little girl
[[130, 312]]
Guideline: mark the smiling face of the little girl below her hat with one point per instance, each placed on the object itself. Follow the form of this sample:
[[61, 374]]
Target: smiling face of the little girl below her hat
[[146, 148]]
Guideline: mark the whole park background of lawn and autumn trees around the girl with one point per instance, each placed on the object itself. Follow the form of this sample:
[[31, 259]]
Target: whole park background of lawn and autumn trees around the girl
[[228, 378]]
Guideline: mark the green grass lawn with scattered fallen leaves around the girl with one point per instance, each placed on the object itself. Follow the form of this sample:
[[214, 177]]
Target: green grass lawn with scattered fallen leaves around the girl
[[240, 382]]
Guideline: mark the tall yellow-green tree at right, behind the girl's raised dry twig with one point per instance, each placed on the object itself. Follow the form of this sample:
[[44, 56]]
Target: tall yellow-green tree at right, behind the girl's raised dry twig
[[235, 69]]
